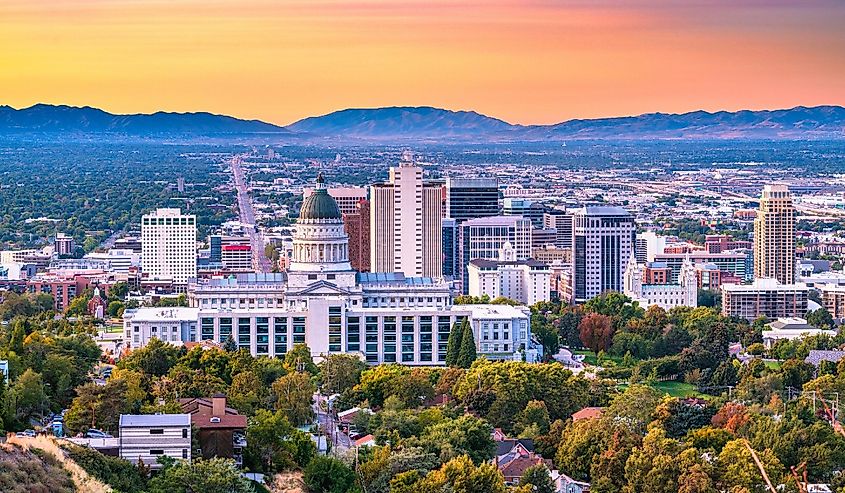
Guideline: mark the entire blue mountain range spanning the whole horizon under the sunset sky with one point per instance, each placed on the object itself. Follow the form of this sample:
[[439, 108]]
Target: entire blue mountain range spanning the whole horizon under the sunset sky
[[428, 123]]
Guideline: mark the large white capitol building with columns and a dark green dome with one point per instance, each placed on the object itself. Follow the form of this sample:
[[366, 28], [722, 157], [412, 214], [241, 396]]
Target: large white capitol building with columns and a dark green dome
[[384, 317]]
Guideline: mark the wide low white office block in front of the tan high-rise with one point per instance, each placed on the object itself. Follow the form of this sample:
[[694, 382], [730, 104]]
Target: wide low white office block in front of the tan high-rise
[[765, 297]]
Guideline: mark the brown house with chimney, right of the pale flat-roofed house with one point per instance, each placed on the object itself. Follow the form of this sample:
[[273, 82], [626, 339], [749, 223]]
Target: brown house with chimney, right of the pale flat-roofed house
[[221, 431]]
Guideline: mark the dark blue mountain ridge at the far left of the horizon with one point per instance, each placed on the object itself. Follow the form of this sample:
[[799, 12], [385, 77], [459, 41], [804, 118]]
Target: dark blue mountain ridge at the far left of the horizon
[[71, 119]]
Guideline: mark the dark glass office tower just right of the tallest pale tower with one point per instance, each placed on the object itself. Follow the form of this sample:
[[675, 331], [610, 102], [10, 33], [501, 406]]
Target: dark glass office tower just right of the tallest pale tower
[[469, 198]]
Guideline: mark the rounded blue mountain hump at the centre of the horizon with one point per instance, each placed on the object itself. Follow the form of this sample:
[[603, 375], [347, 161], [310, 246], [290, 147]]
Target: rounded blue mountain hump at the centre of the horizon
[[402, 122]]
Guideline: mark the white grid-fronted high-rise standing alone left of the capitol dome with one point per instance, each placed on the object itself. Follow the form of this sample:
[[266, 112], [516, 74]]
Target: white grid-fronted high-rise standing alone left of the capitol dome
[[169, 245]]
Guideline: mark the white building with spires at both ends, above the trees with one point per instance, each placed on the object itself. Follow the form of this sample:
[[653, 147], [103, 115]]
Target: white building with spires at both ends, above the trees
[[666, 296]]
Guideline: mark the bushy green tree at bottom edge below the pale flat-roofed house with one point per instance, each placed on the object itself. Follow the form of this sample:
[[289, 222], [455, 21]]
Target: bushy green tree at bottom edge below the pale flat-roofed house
[[215, 475]]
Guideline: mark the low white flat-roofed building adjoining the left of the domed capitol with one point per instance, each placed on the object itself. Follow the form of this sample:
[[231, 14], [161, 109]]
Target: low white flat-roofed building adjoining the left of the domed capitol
[[176, 325]]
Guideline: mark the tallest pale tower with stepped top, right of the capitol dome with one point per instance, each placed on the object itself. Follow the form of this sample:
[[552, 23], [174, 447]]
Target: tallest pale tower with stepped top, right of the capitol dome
[[406, 223]]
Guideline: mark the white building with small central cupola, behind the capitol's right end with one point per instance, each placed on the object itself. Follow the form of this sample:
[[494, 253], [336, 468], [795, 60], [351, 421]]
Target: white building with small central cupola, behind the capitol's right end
[[526, 281]]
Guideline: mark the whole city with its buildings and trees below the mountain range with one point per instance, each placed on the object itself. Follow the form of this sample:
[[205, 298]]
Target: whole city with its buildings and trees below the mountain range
[[587, 316]]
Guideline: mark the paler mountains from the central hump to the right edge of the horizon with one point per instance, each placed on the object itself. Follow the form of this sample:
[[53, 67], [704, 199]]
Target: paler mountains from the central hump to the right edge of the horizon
[[427, 122]]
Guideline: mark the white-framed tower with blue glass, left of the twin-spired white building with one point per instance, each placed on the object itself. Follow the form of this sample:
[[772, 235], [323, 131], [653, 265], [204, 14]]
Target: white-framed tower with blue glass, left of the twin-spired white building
[[603, 245]]
